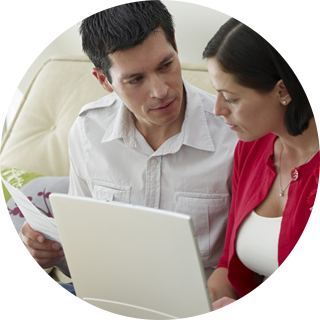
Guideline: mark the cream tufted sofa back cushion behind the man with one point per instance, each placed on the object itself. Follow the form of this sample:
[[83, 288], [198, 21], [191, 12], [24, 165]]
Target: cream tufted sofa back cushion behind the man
[[37, 138]]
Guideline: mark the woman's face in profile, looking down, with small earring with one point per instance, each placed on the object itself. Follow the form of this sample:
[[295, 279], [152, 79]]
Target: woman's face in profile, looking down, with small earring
[[249, 113]]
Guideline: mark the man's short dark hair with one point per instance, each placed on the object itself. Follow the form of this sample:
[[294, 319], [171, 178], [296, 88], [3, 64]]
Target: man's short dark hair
[[108, 26]]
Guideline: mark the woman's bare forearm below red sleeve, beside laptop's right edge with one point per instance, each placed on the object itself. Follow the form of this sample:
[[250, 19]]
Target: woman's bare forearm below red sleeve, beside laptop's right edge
[[219, 285]]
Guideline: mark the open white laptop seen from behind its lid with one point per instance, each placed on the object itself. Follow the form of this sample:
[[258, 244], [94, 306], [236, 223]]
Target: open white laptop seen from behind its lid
[[130, 262]]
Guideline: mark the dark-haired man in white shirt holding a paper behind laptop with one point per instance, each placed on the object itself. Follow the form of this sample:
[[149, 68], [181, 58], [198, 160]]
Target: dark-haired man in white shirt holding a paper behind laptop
[[154, 141]]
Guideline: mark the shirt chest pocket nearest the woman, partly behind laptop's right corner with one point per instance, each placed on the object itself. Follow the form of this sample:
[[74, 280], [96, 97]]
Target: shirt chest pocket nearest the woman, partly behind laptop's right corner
[[208, 213]]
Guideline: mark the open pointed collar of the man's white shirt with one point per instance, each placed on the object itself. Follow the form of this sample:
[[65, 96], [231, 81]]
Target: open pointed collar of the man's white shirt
[[194, 131]]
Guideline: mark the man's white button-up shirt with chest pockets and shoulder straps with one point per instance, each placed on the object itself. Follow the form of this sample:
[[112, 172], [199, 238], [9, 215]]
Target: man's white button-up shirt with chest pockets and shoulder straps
[[190, 173]]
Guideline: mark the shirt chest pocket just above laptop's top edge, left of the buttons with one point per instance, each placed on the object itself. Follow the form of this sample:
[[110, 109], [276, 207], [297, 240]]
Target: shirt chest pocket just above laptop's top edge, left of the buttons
[[110, 192]]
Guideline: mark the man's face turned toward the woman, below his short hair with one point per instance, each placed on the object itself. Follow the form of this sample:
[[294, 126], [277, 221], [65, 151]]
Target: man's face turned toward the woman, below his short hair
[[148, 79]]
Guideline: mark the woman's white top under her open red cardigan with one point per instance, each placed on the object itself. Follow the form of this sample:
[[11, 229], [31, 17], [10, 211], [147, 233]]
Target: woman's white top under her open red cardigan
[[257, 248]]
